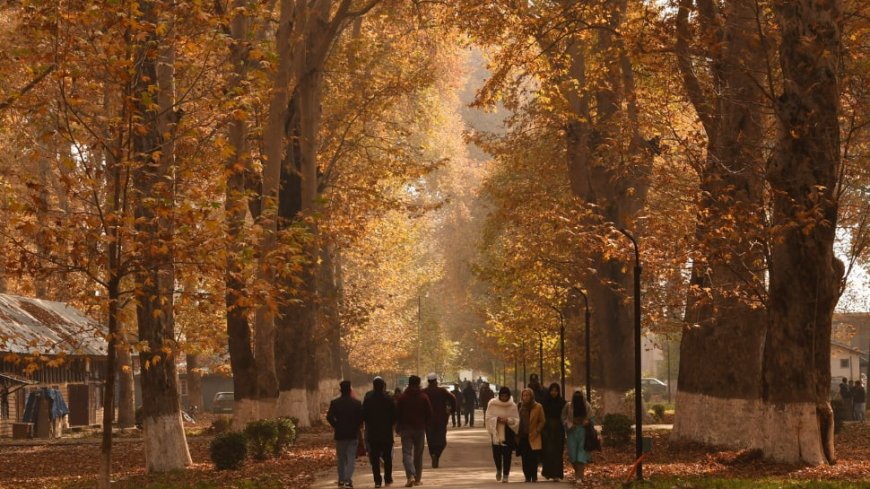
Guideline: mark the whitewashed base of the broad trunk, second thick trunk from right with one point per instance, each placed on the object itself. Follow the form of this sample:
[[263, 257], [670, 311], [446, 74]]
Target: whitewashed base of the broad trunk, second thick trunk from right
[[717, 422]]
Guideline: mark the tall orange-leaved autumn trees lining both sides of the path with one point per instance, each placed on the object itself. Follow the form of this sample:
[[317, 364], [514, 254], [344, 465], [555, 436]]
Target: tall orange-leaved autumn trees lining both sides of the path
[[297, 189]]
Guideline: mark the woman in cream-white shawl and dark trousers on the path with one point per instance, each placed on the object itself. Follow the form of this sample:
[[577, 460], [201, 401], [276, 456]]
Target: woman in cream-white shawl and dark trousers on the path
[[502, 422]]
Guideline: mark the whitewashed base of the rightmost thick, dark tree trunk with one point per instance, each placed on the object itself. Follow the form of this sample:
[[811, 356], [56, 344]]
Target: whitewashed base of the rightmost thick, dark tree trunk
[[790, 433]]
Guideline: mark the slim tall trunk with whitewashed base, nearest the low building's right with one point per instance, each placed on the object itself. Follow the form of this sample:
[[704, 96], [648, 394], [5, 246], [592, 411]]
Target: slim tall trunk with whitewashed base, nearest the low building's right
[[165, 441]]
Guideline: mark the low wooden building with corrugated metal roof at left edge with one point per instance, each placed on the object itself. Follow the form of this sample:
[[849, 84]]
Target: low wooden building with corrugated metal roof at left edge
[[49, 344]]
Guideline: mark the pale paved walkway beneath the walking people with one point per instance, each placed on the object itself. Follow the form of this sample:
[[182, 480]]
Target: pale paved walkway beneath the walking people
[[466, 463]]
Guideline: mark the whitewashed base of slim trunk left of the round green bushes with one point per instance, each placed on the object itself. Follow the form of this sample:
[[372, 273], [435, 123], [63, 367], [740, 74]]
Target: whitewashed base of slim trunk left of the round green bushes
[[165, 443]]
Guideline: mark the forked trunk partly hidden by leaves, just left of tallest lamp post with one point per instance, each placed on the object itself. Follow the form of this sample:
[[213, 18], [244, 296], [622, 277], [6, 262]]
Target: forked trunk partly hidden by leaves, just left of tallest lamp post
[[618, 193]]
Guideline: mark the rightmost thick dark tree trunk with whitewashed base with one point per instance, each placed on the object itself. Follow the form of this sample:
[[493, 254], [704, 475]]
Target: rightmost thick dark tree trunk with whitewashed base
[[804, 273]]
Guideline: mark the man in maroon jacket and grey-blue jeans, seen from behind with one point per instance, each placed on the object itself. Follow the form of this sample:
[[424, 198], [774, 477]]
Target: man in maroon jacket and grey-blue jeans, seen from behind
[[413, 414]]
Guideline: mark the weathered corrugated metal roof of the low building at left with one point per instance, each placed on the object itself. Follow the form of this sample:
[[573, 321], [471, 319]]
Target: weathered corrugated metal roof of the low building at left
[[34, 325]]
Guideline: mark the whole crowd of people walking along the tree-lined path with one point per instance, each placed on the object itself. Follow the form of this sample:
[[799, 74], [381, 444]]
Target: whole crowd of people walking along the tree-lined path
[[536, 428]]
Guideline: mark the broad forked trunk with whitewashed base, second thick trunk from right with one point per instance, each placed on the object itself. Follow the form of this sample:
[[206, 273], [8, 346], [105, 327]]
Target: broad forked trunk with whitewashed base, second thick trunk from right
[[721, 346]]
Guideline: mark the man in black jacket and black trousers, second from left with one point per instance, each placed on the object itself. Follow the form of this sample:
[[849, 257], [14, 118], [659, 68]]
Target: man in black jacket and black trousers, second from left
[[379, 415]]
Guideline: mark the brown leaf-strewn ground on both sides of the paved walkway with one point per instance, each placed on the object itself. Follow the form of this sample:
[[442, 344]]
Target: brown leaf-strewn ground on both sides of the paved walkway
[[75, 463]]
